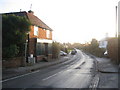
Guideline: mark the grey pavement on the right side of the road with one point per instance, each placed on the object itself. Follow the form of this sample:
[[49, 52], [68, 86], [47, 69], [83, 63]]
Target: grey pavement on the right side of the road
[[108, 73]]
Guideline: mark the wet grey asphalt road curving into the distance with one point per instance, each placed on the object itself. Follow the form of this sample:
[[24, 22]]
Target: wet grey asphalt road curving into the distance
[[77, 74]]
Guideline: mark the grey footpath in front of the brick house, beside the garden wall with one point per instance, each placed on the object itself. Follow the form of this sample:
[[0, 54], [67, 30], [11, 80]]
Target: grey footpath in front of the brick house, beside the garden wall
[[12, 72]]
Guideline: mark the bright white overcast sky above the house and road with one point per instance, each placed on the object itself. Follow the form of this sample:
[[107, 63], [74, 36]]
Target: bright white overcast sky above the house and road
[[71, 20]]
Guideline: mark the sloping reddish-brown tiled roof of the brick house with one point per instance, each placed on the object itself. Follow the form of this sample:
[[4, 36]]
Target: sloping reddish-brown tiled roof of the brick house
[[33, 19]]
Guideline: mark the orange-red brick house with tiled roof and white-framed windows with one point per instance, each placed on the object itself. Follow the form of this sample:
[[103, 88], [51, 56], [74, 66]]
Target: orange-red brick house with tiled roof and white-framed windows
[[39, 43]]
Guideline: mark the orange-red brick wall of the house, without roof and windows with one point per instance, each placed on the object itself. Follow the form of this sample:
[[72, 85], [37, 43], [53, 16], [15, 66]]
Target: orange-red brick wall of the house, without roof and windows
[[33, 42]]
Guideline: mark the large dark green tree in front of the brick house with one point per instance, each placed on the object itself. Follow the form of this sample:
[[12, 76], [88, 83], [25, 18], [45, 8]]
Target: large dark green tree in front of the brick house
[[14, 34]]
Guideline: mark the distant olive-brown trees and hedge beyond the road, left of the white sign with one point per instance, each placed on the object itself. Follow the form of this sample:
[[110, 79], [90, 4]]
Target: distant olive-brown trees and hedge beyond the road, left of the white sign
[[91, 47]]
